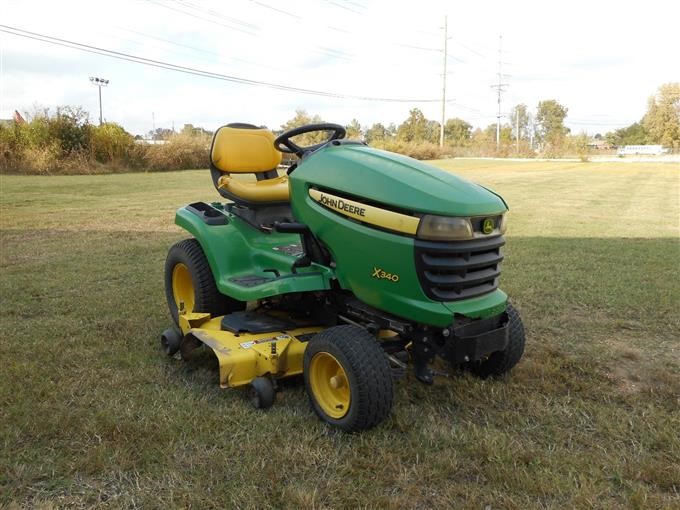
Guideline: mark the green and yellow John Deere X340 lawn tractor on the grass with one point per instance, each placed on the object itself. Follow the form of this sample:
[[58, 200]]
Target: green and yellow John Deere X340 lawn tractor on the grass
[[353, 265]]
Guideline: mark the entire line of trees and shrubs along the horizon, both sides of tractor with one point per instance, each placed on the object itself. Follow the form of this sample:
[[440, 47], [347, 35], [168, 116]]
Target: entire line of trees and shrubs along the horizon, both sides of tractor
[[64, 141]]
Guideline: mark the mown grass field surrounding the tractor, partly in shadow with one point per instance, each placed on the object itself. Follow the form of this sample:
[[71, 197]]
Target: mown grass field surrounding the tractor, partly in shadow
[[93, 415]]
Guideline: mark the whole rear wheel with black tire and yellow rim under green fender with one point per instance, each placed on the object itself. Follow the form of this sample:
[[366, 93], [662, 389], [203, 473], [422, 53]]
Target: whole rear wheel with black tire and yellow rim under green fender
[[190, 282]]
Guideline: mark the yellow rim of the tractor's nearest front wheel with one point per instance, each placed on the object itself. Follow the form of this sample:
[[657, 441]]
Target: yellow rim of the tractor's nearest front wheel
[[330, 385]]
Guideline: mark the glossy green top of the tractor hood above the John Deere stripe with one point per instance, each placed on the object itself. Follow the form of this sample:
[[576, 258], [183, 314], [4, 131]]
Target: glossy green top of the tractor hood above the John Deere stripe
[[392, 179]]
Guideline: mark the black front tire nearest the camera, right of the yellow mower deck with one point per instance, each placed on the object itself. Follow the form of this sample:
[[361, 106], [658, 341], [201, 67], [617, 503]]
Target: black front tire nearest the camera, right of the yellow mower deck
[[368, 376]]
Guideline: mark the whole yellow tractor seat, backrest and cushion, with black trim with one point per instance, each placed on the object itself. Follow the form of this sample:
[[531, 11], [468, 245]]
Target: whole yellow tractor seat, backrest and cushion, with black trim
[[246, 149]]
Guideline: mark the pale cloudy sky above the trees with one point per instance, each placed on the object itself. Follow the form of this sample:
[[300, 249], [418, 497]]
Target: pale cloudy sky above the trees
[[602, 60]]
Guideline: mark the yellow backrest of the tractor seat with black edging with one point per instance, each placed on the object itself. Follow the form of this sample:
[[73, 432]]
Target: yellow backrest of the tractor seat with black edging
[[242, 148]]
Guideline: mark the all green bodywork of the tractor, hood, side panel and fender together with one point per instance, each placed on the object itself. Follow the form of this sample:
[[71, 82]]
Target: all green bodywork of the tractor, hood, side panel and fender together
[[358, 251]]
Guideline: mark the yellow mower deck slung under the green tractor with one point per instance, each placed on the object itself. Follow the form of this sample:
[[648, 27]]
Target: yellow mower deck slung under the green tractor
[[246, 356]]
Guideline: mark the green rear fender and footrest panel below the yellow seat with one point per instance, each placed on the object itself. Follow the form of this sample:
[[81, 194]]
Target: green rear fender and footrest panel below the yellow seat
[[237, 250]]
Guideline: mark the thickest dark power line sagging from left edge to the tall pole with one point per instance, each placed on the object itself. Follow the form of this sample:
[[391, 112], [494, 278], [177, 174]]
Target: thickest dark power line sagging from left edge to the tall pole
[[196, 72]]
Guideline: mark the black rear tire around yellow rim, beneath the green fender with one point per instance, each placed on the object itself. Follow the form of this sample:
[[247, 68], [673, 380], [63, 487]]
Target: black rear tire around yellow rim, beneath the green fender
[[206, 296]]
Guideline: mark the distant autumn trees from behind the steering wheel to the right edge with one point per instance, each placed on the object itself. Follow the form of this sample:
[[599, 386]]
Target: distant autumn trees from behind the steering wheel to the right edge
[[525, 133]]
